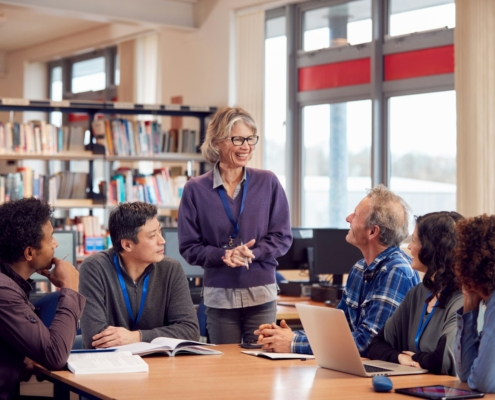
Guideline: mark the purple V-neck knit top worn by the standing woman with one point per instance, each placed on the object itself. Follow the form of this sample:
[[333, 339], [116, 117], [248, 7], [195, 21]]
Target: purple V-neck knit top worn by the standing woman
[[204, 227]]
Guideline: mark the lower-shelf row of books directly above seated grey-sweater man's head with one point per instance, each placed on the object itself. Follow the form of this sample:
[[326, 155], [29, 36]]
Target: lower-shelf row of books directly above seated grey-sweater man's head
[[158, 188]]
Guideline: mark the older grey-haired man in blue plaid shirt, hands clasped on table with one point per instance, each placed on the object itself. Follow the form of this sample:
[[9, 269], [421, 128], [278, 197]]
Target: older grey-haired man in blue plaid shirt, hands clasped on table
[[376, 285]]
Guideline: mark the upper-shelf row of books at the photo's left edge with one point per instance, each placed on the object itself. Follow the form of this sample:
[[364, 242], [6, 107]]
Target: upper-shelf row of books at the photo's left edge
[[38, 137]]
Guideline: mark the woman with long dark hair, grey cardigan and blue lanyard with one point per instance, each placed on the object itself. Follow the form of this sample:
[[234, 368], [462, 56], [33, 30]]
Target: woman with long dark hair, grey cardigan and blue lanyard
[[421, 331]]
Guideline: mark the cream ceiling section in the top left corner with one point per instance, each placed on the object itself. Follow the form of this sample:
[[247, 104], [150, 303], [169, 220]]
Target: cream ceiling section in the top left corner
[[26, 23]]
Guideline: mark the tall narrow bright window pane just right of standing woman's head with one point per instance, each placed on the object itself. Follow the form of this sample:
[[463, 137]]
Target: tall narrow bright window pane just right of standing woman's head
[[274, 147]]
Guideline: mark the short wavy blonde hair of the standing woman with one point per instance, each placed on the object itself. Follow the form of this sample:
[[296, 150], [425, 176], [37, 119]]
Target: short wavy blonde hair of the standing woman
[[220, 128]]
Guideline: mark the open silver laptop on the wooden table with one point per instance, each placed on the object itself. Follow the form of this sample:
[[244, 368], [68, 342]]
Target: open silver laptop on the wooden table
[[334, 348]]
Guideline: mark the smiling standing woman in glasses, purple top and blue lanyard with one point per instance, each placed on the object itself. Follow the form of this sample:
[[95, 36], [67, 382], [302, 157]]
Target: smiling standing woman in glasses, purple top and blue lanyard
[[234, 222]]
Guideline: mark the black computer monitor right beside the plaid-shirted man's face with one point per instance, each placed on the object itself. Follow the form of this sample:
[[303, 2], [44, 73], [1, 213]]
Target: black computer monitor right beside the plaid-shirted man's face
[[332, 254]]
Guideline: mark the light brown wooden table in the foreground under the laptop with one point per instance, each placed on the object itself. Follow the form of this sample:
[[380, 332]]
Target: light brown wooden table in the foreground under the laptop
[[235, 376]]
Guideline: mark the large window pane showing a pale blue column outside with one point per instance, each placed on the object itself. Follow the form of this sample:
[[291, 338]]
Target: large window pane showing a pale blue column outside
[[337, 161]]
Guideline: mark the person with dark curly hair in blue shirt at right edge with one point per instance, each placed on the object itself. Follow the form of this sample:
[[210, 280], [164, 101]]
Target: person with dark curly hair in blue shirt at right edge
[[475, 267]]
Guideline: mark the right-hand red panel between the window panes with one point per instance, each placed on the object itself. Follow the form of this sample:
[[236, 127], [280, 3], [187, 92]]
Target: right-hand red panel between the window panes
[[413, 64]]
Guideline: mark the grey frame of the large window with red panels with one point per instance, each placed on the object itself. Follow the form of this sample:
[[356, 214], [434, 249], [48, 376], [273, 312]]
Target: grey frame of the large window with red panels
[[378, 90]]
